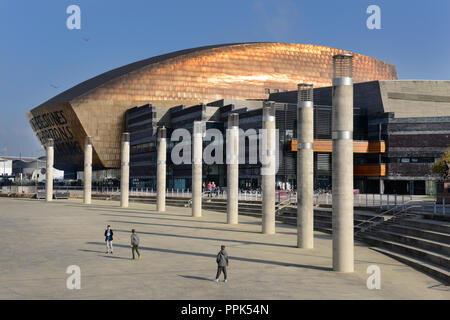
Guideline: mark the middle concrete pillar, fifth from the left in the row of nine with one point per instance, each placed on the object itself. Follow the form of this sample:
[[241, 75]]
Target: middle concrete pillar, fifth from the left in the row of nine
[[197, 154]]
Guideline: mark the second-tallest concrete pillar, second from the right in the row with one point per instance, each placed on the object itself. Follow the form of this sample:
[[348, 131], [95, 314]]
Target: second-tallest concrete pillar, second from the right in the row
[[305, 167]]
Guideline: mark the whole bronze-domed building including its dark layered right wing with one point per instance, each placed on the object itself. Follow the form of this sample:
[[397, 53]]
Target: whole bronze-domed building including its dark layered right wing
[[400, 126]]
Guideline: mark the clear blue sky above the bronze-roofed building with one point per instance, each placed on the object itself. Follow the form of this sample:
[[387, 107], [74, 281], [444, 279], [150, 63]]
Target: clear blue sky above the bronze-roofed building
[[38, 52]]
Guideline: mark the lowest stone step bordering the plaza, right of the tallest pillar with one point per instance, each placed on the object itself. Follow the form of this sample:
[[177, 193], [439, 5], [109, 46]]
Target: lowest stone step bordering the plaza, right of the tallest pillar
[[438, 272]]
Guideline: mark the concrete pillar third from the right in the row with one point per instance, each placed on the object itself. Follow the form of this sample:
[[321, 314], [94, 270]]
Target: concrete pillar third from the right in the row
[[268, 168]]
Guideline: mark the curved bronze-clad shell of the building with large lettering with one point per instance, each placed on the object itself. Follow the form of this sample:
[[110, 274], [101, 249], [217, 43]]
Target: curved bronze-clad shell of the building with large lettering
[[96, 107]]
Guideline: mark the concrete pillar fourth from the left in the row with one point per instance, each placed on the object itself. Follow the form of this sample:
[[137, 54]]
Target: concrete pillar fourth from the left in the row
[[161, 171]]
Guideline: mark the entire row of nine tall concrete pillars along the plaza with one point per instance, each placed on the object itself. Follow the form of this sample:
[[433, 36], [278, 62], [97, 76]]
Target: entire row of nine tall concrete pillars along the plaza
[[342, 167]]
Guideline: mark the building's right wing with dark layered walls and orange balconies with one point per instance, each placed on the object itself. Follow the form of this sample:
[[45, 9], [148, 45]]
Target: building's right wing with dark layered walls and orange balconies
[[407, 128]]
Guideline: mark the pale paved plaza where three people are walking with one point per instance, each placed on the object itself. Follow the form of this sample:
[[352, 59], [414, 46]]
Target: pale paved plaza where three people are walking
[[39, 240]]
